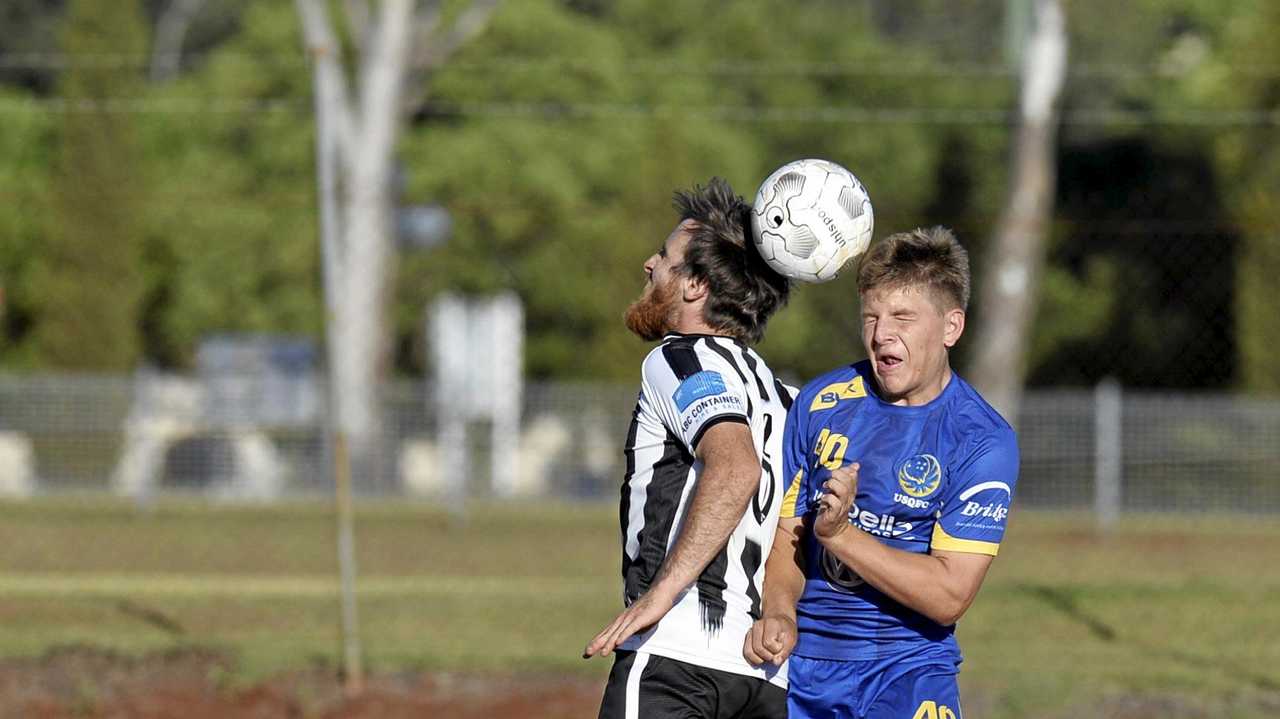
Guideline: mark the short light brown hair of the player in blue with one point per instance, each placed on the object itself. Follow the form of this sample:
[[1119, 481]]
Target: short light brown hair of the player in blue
[[925, 258]]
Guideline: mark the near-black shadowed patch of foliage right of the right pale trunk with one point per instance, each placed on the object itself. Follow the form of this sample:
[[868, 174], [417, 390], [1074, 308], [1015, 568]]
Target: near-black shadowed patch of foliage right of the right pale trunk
[[1139, 271]]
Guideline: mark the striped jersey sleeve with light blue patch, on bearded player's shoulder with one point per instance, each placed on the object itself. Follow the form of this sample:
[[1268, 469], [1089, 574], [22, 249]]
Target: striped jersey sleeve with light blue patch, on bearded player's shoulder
[[693, 392]]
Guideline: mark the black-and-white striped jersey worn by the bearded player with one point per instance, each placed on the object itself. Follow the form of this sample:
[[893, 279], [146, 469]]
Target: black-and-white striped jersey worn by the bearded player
[[689, 384]]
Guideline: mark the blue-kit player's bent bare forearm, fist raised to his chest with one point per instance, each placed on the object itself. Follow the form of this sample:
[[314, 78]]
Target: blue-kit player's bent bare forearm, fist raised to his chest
[[940, 585]]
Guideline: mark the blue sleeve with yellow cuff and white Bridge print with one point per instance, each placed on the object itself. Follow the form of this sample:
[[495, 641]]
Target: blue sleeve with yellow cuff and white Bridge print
[[981, 491]]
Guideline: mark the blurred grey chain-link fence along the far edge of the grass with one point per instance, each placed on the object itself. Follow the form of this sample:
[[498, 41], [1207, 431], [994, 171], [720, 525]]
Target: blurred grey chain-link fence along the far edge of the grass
[[152, 436]]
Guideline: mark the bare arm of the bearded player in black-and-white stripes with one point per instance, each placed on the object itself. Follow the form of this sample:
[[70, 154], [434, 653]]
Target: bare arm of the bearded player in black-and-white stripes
[[732, 475]]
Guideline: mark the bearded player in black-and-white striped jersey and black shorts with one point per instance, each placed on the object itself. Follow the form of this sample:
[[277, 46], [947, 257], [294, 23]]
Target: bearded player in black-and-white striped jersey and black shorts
[[705, 477]]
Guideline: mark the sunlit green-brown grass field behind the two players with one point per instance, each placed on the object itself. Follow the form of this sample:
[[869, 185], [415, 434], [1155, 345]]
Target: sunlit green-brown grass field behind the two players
[[1168, 616]]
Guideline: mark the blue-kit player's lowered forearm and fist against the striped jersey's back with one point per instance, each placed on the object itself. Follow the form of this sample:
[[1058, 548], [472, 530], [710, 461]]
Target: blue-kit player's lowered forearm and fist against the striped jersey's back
[[774, 636]]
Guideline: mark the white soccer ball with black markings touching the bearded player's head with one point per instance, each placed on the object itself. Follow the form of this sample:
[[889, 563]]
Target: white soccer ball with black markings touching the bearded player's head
[[810, 219]]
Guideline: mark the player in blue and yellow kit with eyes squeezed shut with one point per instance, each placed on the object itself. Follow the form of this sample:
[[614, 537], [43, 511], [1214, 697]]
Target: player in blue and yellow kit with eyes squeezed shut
[[902, 478]]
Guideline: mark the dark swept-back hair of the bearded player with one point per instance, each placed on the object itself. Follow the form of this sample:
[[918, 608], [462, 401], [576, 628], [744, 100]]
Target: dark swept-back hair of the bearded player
[[743, 291]]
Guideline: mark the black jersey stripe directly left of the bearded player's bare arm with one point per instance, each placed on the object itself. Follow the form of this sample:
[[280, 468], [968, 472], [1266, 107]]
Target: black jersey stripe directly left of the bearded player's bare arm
[[662, 501]]
